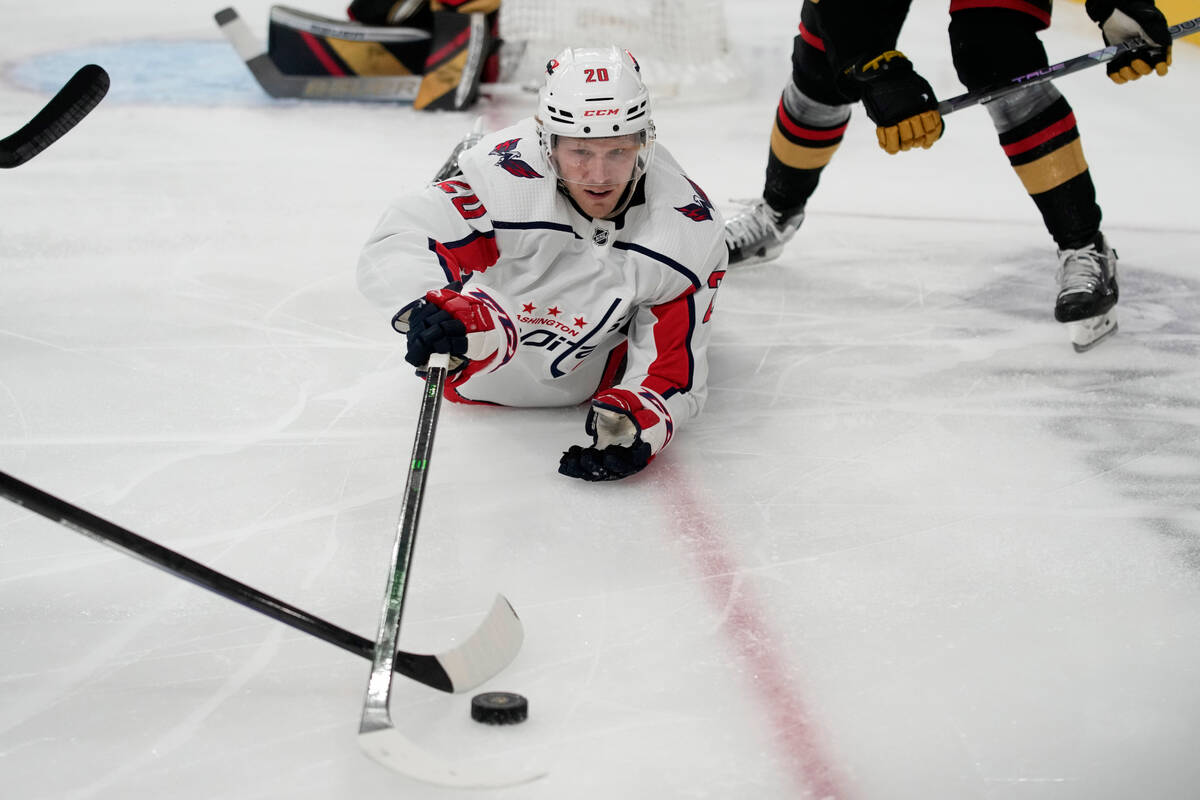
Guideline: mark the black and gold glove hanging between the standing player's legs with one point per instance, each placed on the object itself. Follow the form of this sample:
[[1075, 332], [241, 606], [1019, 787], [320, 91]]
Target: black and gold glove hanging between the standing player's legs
[[898, 100]]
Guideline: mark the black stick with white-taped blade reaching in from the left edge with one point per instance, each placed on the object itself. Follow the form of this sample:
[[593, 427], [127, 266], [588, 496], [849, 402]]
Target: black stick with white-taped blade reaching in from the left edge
[[485, 653]]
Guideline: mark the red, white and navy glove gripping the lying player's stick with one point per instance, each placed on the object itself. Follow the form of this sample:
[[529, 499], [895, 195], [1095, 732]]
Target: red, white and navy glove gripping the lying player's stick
[[448, 322]]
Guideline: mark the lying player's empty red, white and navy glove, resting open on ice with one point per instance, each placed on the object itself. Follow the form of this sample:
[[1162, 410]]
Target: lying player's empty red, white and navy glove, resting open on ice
[[616, 423]]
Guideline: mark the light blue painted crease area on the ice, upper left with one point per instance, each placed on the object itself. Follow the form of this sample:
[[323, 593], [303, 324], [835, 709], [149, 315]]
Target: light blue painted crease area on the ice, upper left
[[164, 73]]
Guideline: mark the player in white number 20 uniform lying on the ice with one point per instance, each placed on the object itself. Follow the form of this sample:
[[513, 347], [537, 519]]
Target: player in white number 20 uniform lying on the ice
[[571, 262]]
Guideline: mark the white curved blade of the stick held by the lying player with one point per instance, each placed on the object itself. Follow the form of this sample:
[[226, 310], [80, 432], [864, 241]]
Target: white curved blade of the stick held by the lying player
[[395, 751]]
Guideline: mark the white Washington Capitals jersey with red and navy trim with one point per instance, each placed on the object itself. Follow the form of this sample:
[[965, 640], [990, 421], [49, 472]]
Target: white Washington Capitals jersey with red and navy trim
[[587, 304]]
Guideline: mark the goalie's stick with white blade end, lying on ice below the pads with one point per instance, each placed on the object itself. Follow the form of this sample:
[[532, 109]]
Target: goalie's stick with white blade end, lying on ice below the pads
[[277, 85]]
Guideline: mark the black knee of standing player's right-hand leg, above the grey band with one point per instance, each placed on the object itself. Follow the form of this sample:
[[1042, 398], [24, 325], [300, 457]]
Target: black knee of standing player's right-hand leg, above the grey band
[[992, 46]]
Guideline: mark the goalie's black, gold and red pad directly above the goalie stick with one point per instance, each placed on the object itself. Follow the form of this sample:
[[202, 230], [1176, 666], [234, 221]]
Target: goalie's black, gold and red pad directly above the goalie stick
[[302, 44]]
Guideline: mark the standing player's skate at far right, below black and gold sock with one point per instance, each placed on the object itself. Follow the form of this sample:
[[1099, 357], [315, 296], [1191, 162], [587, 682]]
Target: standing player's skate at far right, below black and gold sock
[[1088, 293]]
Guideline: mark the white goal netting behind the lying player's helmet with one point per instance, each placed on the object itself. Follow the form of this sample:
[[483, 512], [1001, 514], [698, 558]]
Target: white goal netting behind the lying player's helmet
[[681, 45]]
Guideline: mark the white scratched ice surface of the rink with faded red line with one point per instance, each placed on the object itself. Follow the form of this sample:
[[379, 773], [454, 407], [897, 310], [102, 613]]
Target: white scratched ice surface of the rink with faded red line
[[916, 548]]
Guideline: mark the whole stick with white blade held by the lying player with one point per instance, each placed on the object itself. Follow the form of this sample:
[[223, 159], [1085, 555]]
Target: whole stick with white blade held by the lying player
[[377, 735]]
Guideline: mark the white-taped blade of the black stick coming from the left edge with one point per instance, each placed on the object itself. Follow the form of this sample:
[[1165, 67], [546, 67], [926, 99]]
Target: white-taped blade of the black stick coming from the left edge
[[485, 654]]
